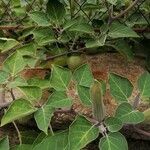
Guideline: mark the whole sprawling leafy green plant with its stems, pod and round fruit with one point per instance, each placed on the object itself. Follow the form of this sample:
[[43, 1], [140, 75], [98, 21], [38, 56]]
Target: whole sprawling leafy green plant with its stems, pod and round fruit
[[56, 39]]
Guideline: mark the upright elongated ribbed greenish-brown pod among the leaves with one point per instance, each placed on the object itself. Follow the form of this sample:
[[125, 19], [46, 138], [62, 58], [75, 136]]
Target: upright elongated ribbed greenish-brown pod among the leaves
[[97, 101]]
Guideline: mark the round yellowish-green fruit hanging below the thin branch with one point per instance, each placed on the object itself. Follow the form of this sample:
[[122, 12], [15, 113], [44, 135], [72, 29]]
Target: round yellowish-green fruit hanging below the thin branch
[[75, 61]]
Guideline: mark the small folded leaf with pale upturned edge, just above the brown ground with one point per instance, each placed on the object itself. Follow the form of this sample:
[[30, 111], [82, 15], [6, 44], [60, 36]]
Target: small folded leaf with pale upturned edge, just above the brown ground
[[96, 42]]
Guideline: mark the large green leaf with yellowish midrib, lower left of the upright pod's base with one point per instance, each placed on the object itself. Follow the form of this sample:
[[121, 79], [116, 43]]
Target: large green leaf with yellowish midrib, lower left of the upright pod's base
[[81, 132]]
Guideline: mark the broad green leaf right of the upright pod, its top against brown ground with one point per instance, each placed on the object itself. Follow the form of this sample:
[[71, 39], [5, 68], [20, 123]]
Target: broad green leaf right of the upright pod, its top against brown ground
[[120, 87]]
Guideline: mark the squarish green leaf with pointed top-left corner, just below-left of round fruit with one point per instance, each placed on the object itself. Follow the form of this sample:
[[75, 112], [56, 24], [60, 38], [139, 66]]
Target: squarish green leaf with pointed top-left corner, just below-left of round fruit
[[60, 78]]
